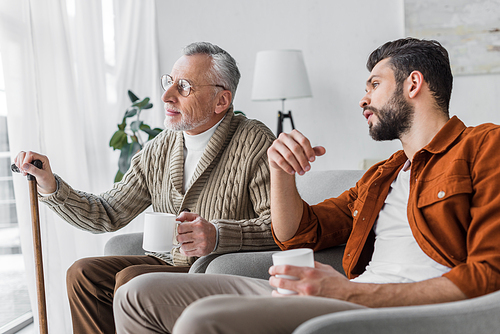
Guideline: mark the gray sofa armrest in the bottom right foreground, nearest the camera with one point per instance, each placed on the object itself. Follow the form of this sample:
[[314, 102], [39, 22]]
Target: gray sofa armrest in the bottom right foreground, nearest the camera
[[477, 315]]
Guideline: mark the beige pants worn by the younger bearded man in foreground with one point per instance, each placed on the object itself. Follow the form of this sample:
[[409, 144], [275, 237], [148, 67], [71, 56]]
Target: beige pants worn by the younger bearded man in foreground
[[153, 303]]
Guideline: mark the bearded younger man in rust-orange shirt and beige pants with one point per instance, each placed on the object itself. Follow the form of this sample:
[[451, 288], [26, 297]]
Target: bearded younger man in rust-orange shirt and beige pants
[[421, 227]]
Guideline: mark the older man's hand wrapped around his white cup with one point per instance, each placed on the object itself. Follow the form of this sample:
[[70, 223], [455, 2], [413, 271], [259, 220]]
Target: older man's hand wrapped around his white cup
[[196, 235]]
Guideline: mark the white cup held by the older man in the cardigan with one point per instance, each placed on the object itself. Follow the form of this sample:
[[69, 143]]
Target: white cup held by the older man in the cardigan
[[160, 232]]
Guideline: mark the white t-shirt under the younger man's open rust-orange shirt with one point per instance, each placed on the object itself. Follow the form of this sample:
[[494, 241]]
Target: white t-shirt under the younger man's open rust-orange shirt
[[397, 258]]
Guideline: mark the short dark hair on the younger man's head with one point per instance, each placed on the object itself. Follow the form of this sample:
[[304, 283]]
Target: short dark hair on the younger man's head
[[428, 57]]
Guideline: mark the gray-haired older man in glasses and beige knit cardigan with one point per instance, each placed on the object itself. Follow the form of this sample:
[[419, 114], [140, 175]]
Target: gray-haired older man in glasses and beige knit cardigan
[[209, 167]]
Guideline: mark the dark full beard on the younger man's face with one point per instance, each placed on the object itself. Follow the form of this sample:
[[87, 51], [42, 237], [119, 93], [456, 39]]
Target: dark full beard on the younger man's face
[[394, 118]]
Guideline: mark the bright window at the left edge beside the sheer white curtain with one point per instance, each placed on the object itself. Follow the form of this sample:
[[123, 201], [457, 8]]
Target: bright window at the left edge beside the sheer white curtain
[[15, 308]]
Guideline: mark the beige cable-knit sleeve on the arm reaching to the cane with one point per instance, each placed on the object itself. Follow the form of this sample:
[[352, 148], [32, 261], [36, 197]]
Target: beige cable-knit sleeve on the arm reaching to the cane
[[107, 212]]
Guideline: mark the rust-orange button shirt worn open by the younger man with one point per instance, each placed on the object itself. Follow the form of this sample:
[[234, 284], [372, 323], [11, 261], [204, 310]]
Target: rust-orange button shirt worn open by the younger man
[[453, 208]]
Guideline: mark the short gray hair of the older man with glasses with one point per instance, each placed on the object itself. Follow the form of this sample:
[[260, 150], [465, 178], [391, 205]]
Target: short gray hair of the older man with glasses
[[224, 69]]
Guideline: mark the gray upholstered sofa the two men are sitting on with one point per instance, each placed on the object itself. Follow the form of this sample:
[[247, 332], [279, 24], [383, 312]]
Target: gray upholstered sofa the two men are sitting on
[[479, 315]]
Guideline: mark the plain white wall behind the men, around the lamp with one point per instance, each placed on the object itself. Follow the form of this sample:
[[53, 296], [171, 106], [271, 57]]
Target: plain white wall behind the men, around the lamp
[[336, 38]]
